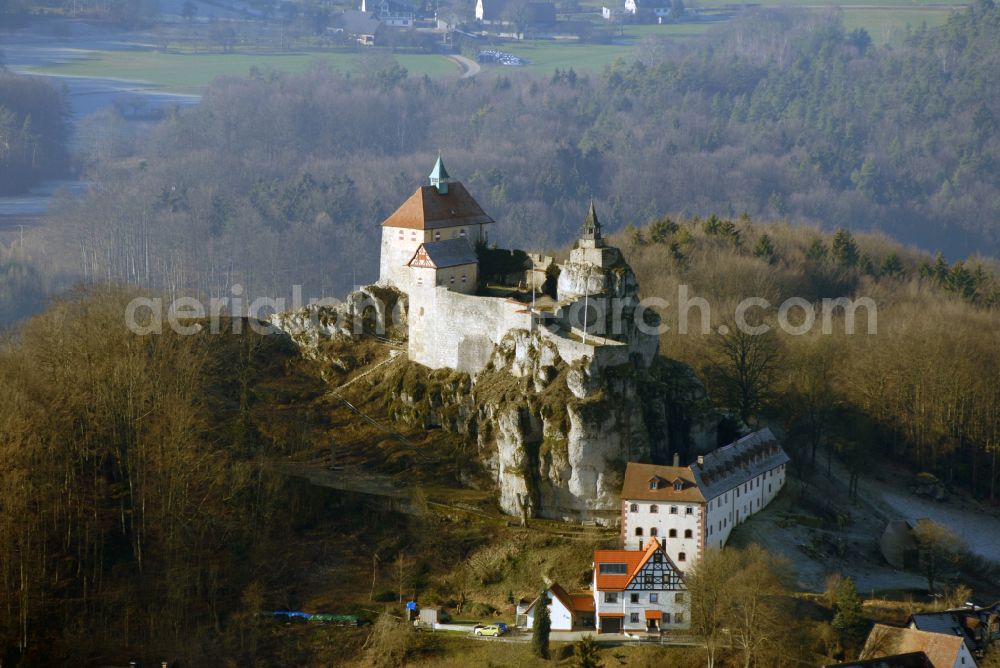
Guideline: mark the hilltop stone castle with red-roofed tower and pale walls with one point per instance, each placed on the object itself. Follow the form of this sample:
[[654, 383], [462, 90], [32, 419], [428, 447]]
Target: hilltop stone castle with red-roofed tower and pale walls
[[434, 247]]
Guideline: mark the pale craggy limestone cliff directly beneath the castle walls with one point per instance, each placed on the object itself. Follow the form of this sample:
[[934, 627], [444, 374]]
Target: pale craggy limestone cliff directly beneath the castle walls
[[555, 435]]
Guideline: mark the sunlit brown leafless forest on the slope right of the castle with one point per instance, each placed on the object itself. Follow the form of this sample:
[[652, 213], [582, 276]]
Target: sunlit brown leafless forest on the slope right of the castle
[[923, 390]]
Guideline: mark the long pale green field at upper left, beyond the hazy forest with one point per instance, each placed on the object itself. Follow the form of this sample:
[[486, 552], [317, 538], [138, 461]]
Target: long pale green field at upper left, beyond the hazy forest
[[192, 72]]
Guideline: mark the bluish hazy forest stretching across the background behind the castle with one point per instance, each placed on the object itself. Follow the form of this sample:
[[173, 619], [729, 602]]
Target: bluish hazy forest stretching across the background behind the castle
[[276, 179]]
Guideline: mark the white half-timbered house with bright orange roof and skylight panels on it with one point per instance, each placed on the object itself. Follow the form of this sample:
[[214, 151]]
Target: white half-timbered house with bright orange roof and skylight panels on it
[[638, 590]]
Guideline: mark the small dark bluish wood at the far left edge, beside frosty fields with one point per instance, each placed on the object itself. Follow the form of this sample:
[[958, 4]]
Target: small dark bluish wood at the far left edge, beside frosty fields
[[33, 132]]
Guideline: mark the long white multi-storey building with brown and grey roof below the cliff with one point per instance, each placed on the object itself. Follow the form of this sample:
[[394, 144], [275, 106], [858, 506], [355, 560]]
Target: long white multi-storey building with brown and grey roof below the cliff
[[690, 508]]
